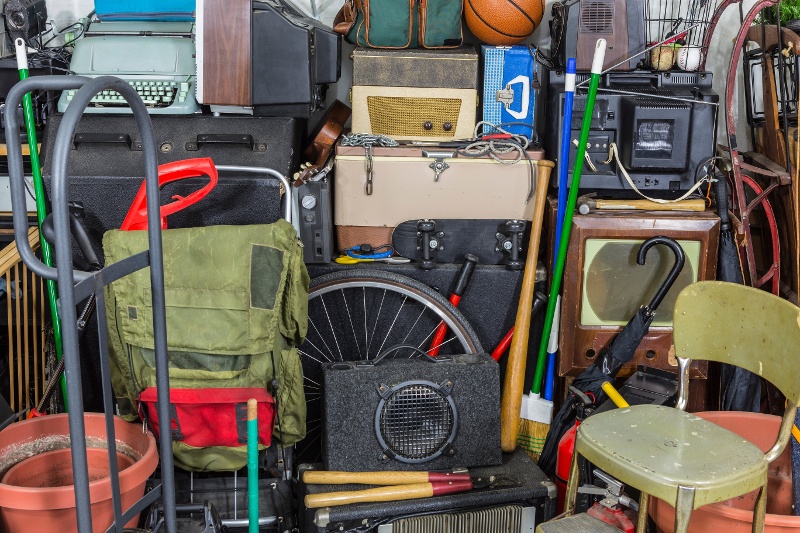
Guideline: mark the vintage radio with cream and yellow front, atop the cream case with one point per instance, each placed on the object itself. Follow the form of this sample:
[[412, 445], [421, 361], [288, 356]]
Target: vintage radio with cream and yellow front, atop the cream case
[[415, 94]]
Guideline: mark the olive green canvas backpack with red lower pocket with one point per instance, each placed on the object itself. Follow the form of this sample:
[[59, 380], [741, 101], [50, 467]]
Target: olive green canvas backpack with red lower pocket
[[237, 304]]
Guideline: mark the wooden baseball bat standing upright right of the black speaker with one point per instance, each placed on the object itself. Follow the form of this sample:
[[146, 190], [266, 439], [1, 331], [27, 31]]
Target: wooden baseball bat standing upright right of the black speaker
[[518, 354]]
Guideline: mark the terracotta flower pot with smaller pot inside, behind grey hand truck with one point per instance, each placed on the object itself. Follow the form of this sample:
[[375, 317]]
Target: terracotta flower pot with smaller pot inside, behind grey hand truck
[[36, 493]]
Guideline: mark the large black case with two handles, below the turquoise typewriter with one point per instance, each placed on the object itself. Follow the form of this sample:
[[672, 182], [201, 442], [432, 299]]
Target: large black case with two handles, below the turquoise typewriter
[[106, 167]]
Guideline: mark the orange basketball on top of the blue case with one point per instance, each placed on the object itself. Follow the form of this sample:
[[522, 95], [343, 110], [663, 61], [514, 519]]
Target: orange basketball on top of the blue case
[[503, 22]]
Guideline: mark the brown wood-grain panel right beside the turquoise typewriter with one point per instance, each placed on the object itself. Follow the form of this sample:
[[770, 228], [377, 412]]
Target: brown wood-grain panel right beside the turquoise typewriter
[[226, 52]]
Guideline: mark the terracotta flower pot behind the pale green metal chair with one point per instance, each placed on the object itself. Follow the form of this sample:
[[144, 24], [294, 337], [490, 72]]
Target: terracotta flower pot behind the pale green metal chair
[[736, 515]]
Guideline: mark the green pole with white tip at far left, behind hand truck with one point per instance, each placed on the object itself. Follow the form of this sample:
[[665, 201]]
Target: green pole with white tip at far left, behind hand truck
[[41, 208]]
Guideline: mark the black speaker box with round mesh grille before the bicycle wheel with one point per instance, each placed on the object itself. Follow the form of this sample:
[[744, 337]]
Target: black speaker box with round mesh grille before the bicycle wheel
[[418, 413]]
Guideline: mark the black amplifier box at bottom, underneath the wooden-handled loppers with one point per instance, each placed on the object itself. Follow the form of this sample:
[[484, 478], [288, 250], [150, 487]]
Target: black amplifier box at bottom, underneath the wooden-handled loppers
[[536, 494]]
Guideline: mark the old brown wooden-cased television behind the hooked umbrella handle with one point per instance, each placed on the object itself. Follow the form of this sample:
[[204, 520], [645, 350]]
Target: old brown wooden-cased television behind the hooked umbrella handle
[[604, 286]]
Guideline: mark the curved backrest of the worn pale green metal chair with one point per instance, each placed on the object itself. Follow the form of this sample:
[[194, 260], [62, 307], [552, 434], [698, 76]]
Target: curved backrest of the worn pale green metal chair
[[742, 326]]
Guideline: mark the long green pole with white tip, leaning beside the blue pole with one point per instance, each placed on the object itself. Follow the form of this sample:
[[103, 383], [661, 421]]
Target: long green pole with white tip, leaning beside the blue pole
[[558, 271]]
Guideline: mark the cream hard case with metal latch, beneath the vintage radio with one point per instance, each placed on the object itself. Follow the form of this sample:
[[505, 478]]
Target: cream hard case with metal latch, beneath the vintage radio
[[413, 182]]
